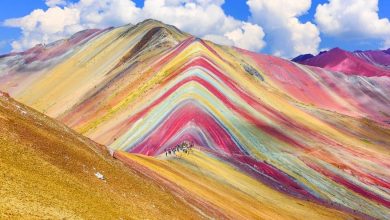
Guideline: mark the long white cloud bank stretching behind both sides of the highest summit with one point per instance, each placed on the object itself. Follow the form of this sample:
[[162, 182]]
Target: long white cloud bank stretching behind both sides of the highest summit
[[203, 18]]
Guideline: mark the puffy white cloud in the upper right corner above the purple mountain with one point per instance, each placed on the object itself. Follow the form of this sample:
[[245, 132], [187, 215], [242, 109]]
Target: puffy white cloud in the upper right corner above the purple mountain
[[353, 19]]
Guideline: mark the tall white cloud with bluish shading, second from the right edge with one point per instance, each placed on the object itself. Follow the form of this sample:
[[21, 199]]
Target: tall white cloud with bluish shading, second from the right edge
[[286, 35]]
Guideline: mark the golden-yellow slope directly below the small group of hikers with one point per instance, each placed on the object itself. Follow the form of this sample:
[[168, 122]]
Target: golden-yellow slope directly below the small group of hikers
[[221, 189]]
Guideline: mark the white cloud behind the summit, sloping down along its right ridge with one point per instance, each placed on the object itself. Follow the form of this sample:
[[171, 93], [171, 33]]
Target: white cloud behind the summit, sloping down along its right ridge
[[206, 18]]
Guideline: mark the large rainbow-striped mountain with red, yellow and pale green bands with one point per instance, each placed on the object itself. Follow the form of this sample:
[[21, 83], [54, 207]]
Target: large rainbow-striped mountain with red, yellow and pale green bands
[[273, 138]]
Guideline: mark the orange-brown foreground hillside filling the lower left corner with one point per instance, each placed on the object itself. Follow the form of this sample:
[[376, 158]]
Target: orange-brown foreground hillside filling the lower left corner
[[48, 171]]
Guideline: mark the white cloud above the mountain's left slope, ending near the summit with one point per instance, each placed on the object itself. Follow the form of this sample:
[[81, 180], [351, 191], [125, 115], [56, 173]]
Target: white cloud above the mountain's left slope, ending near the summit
[[62, 19]]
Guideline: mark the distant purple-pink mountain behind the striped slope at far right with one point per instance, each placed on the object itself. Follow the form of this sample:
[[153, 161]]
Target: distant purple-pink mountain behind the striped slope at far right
[[364, 63]]
